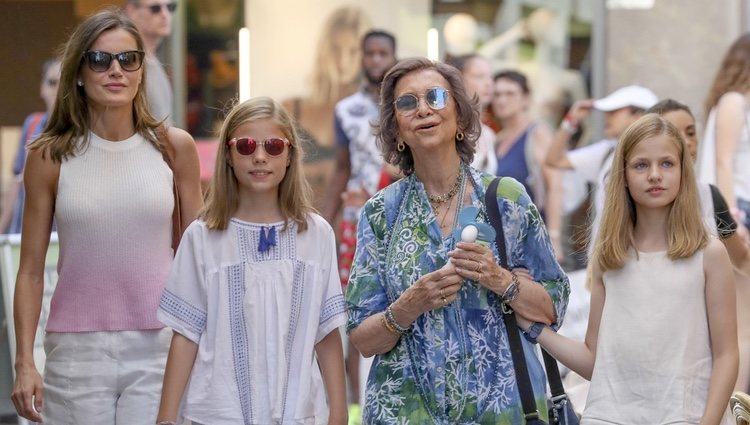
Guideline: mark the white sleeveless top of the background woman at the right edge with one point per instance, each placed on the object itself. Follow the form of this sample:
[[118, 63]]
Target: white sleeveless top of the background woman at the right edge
[[706, 164]]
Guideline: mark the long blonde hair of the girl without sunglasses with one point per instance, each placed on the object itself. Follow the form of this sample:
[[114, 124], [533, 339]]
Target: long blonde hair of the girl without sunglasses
[[686, 232]]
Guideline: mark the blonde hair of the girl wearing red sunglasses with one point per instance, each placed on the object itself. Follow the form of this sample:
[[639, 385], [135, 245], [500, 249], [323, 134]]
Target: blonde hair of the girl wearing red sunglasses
[[222, 197]]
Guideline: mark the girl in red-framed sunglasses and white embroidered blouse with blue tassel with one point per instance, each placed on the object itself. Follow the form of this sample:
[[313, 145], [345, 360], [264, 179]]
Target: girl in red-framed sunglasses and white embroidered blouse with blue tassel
[[253, 296]]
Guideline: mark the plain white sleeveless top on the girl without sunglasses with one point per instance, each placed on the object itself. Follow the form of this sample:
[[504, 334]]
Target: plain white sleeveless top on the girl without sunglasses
[[653, 358]]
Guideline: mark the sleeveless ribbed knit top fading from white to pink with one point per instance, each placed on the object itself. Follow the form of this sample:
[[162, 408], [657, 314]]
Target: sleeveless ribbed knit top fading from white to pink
[[114, 222]]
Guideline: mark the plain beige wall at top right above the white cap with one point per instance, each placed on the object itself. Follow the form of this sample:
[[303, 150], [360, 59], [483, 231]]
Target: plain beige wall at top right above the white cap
[[674, 49]]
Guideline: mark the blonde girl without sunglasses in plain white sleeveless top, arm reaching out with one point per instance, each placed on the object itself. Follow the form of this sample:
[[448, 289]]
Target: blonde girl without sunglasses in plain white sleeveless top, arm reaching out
[[661, 344]]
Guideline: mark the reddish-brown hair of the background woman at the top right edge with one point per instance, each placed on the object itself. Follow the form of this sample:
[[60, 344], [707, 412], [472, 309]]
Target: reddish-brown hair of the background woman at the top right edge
[[733, 73]]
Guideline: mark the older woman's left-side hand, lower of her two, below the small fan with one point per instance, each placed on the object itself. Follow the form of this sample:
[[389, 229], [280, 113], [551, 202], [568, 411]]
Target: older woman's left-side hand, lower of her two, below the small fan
[[433, 290]]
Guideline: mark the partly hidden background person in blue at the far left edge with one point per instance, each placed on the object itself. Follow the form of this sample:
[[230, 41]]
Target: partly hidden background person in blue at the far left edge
[[33, 125]]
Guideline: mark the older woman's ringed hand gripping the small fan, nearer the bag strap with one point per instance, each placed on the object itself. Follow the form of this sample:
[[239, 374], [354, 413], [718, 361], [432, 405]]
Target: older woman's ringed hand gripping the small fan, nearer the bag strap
[[476, 262]]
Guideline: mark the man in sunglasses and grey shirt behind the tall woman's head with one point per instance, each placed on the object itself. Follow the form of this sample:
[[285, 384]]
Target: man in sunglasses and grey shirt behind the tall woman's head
[[153, 18]]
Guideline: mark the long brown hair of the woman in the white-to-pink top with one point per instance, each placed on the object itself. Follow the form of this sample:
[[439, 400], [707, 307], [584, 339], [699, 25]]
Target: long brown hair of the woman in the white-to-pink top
[[68, 127]]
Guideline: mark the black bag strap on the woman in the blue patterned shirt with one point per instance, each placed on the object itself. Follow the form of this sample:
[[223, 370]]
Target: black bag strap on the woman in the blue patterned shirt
[[511, 326]]
